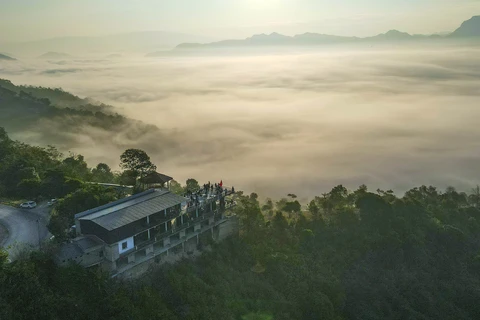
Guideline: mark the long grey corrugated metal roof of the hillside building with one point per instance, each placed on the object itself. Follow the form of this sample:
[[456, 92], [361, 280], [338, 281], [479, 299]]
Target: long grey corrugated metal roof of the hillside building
[[137, 208]]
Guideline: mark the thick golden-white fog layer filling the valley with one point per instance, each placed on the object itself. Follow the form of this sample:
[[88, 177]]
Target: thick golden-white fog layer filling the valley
[[386, 117]]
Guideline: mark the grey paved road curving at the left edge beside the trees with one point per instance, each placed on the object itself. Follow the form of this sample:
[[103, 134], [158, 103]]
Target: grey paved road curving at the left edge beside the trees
[[23, 228]]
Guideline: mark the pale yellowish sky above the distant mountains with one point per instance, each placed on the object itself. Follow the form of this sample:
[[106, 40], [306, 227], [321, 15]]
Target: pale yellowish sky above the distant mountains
[[27, 20]]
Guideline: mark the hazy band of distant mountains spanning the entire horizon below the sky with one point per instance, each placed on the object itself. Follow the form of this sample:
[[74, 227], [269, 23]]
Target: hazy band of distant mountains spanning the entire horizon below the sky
[[160, 43]]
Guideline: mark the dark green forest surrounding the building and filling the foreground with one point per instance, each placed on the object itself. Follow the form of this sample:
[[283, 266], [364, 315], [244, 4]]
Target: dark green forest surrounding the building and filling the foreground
[[346, 255]]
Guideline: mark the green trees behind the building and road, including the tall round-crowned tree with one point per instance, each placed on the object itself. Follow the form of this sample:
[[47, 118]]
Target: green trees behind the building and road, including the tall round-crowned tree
[[38, 173]]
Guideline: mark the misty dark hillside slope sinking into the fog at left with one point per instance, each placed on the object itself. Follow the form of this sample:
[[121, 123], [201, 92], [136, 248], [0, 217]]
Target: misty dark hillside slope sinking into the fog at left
[[53, 115]]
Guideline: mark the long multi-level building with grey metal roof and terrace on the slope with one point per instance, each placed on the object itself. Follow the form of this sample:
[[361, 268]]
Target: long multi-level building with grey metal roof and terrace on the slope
[[150, 225]]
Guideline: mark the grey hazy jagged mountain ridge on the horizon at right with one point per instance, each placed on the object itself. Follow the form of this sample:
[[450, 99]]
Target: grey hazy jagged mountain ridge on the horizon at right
[[470, 28]]
